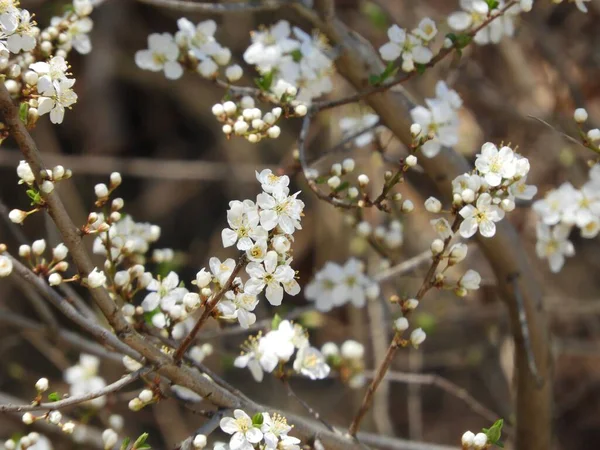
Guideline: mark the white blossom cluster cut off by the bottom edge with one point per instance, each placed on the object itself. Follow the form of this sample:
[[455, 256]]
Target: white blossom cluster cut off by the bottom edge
[[263, 430]]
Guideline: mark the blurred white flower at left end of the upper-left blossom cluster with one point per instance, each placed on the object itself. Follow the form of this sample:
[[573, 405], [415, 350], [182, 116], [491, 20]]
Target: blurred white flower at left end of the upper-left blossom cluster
[[162, 54]]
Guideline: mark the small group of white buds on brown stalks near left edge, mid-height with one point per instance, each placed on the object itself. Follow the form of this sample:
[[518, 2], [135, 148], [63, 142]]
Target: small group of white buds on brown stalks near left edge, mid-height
[[54, 268]]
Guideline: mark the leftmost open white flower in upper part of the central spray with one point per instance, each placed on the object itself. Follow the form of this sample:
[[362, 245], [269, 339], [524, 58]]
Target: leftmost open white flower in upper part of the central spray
[[244, 221]]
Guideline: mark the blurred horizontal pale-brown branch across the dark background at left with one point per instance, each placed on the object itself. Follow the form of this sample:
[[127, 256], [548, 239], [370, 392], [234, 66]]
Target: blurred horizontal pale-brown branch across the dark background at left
[[164, 169]]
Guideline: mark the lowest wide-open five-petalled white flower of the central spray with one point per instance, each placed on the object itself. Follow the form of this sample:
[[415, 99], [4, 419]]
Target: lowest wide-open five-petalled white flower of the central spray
[[268, 274]]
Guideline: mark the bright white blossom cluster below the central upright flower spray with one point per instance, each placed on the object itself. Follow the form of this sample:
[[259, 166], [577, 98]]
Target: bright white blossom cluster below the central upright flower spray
[[263, 353]]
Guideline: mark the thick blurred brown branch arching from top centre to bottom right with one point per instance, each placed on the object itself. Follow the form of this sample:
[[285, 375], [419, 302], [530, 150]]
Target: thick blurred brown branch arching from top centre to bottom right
[[356, 62]]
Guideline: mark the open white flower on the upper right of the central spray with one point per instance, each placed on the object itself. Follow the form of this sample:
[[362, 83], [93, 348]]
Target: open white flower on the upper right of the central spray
[[279, 209]]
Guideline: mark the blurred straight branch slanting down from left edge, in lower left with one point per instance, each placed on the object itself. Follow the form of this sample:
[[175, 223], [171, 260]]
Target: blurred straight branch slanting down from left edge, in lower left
[[72, 339]]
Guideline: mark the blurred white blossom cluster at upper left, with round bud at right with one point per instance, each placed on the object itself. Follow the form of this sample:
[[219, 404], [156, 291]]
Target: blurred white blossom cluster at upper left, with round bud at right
[[193, 47]]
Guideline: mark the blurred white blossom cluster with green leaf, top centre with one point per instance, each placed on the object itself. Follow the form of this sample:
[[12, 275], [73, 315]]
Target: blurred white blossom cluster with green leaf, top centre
[[286, 53]]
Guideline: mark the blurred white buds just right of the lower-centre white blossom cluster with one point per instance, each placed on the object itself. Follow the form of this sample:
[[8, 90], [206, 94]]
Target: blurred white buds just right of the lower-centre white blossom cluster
[[348, 361]]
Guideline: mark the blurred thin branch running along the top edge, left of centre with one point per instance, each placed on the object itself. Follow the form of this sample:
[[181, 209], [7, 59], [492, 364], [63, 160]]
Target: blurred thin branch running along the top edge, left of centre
[[219, 8]]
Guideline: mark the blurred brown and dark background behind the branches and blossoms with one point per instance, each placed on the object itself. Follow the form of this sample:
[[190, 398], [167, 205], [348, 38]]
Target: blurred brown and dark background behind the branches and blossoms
[[180, 172]]
